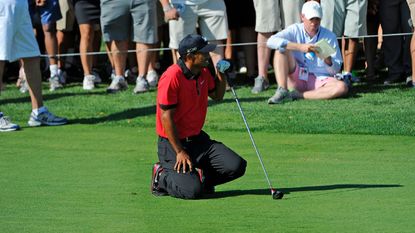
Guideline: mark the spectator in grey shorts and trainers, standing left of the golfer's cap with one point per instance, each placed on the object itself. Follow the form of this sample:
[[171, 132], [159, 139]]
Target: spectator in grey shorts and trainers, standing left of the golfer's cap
[[126, 20]]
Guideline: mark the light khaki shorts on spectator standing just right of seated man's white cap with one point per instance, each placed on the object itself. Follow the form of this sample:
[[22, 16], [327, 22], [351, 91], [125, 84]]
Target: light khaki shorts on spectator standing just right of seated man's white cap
[[345, 17]]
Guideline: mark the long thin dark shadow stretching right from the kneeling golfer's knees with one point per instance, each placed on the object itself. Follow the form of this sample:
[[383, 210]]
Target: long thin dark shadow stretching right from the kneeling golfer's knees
[[222, 194]]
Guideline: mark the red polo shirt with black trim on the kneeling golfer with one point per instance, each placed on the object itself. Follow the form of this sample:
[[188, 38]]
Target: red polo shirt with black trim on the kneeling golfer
[[189, 96]]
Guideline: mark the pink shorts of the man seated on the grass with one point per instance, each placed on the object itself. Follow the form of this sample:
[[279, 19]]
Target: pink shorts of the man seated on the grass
[[311, 84]]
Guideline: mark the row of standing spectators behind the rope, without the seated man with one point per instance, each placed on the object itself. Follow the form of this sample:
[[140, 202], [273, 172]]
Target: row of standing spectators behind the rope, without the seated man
[[79, 26]]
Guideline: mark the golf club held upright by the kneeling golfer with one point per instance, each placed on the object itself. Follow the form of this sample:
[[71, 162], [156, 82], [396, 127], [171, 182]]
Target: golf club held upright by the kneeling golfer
[[275, 193]]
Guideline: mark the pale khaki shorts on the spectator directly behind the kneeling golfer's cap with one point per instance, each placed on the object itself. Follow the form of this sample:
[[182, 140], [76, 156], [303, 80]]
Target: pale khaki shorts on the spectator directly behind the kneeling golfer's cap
[[209, 16]]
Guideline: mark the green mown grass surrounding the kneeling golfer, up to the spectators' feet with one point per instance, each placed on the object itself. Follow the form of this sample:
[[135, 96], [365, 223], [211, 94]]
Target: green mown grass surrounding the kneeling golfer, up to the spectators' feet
[[345, 165]]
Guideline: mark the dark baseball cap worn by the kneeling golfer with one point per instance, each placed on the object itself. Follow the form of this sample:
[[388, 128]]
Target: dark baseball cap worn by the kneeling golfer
[[193, 44]]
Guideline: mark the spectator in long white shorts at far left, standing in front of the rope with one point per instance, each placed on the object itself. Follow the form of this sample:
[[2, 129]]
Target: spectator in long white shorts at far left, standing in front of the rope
[[18, 42]]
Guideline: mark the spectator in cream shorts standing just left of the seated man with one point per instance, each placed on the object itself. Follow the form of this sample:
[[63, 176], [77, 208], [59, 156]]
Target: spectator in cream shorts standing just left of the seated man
[[268, 21]]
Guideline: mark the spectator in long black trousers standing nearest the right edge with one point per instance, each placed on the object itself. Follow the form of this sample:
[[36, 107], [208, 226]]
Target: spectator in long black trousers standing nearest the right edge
[[394, 16]]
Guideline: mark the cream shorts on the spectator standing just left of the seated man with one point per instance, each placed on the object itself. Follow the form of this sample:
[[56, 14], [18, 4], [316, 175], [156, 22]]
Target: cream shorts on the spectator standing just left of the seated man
[[268, 16]]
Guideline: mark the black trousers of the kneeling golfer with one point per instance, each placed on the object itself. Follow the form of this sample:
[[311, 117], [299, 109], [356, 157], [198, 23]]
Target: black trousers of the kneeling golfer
[[218, 163]]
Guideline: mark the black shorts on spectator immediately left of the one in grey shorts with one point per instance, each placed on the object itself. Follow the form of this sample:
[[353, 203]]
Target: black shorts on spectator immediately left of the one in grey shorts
[[87, 12]]
